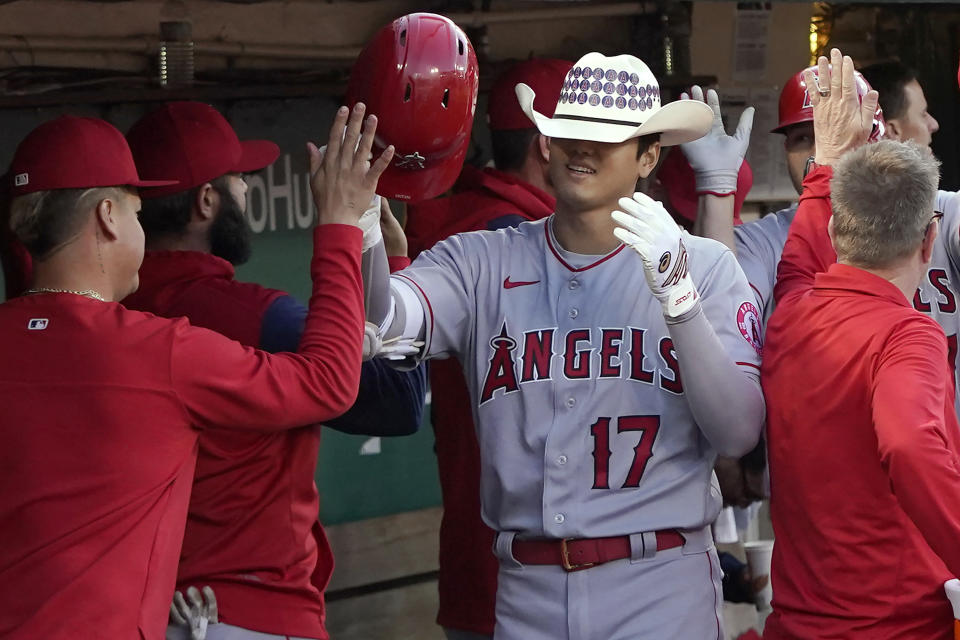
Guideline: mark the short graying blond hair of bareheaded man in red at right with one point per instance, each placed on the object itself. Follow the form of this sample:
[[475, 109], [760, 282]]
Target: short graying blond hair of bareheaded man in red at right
[[883, 196]]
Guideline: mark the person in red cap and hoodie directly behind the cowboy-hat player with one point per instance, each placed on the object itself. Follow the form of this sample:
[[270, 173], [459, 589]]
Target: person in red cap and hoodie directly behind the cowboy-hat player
[[489, 198]]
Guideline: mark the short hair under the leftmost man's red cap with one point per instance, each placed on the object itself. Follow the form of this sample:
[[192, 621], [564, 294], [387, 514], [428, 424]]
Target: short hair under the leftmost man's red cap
[[44, 221]]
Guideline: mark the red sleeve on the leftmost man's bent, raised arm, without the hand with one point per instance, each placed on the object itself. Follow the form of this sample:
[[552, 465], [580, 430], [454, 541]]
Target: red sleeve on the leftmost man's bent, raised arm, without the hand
[[224, 384]]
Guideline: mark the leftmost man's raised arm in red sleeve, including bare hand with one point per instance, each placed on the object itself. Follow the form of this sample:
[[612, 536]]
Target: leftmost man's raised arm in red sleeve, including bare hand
[[221, 383]]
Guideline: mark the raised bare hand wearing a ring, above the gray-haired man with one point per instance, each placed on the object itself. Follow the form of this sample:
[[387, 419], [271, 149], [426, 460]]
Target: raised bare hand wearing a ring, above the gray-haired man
[[841, 121]]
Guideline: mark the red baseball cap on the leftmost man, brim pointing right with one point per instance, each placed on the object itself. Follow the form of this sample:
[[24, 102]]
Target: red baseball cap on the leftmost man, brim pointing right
[[74, 153]]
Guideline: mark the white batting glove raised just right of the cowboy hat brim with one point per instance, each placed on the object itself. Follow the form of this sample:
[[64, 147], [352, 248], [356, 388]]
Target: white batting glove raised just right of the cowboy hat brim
[[716, 157]]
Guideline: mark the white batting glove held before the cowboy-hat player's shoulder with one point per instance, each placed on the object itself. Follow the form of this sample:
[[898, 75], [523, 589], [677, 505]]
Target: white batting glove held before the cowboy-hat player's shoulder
[[646, 227]]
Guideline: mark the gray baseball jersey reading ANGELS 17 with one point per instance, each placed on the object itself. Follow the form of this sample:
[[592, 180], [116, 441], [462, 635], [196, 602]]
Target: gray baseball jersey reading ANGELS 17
[[583, 426]]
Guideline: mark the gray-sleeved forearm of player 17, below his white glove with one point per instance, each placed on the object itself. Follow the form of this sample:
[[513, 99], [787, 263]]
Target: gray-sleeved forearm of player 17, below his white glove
[[710, 379]]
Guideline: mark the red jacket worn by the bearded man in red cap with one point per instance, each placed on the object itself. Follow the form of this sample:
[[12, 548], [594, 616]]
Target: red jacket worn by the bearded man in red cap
[[252, 532]]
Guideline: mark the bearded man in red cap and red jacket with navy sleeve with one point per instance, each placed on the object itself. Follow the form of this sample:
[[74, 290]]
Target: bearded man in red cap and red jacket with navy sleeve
[[268, 570]]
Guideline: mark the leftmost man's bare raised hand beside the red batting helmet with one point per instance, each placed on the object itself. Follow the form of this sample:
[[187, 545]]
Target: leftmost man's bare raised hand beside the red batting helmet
[[343, 181]]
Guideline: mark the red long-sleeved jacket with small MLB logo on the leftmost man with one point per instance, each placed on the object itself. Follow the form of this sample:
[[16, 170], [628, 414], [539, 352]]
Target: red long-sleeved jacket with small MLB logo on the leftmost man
[[99, 431]]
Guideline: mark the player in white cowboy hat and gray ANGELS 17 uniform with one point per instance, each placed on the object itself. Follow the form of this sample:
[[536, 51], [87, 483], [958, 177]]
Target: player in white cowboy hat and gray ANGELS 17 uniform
[[599, 407]]
